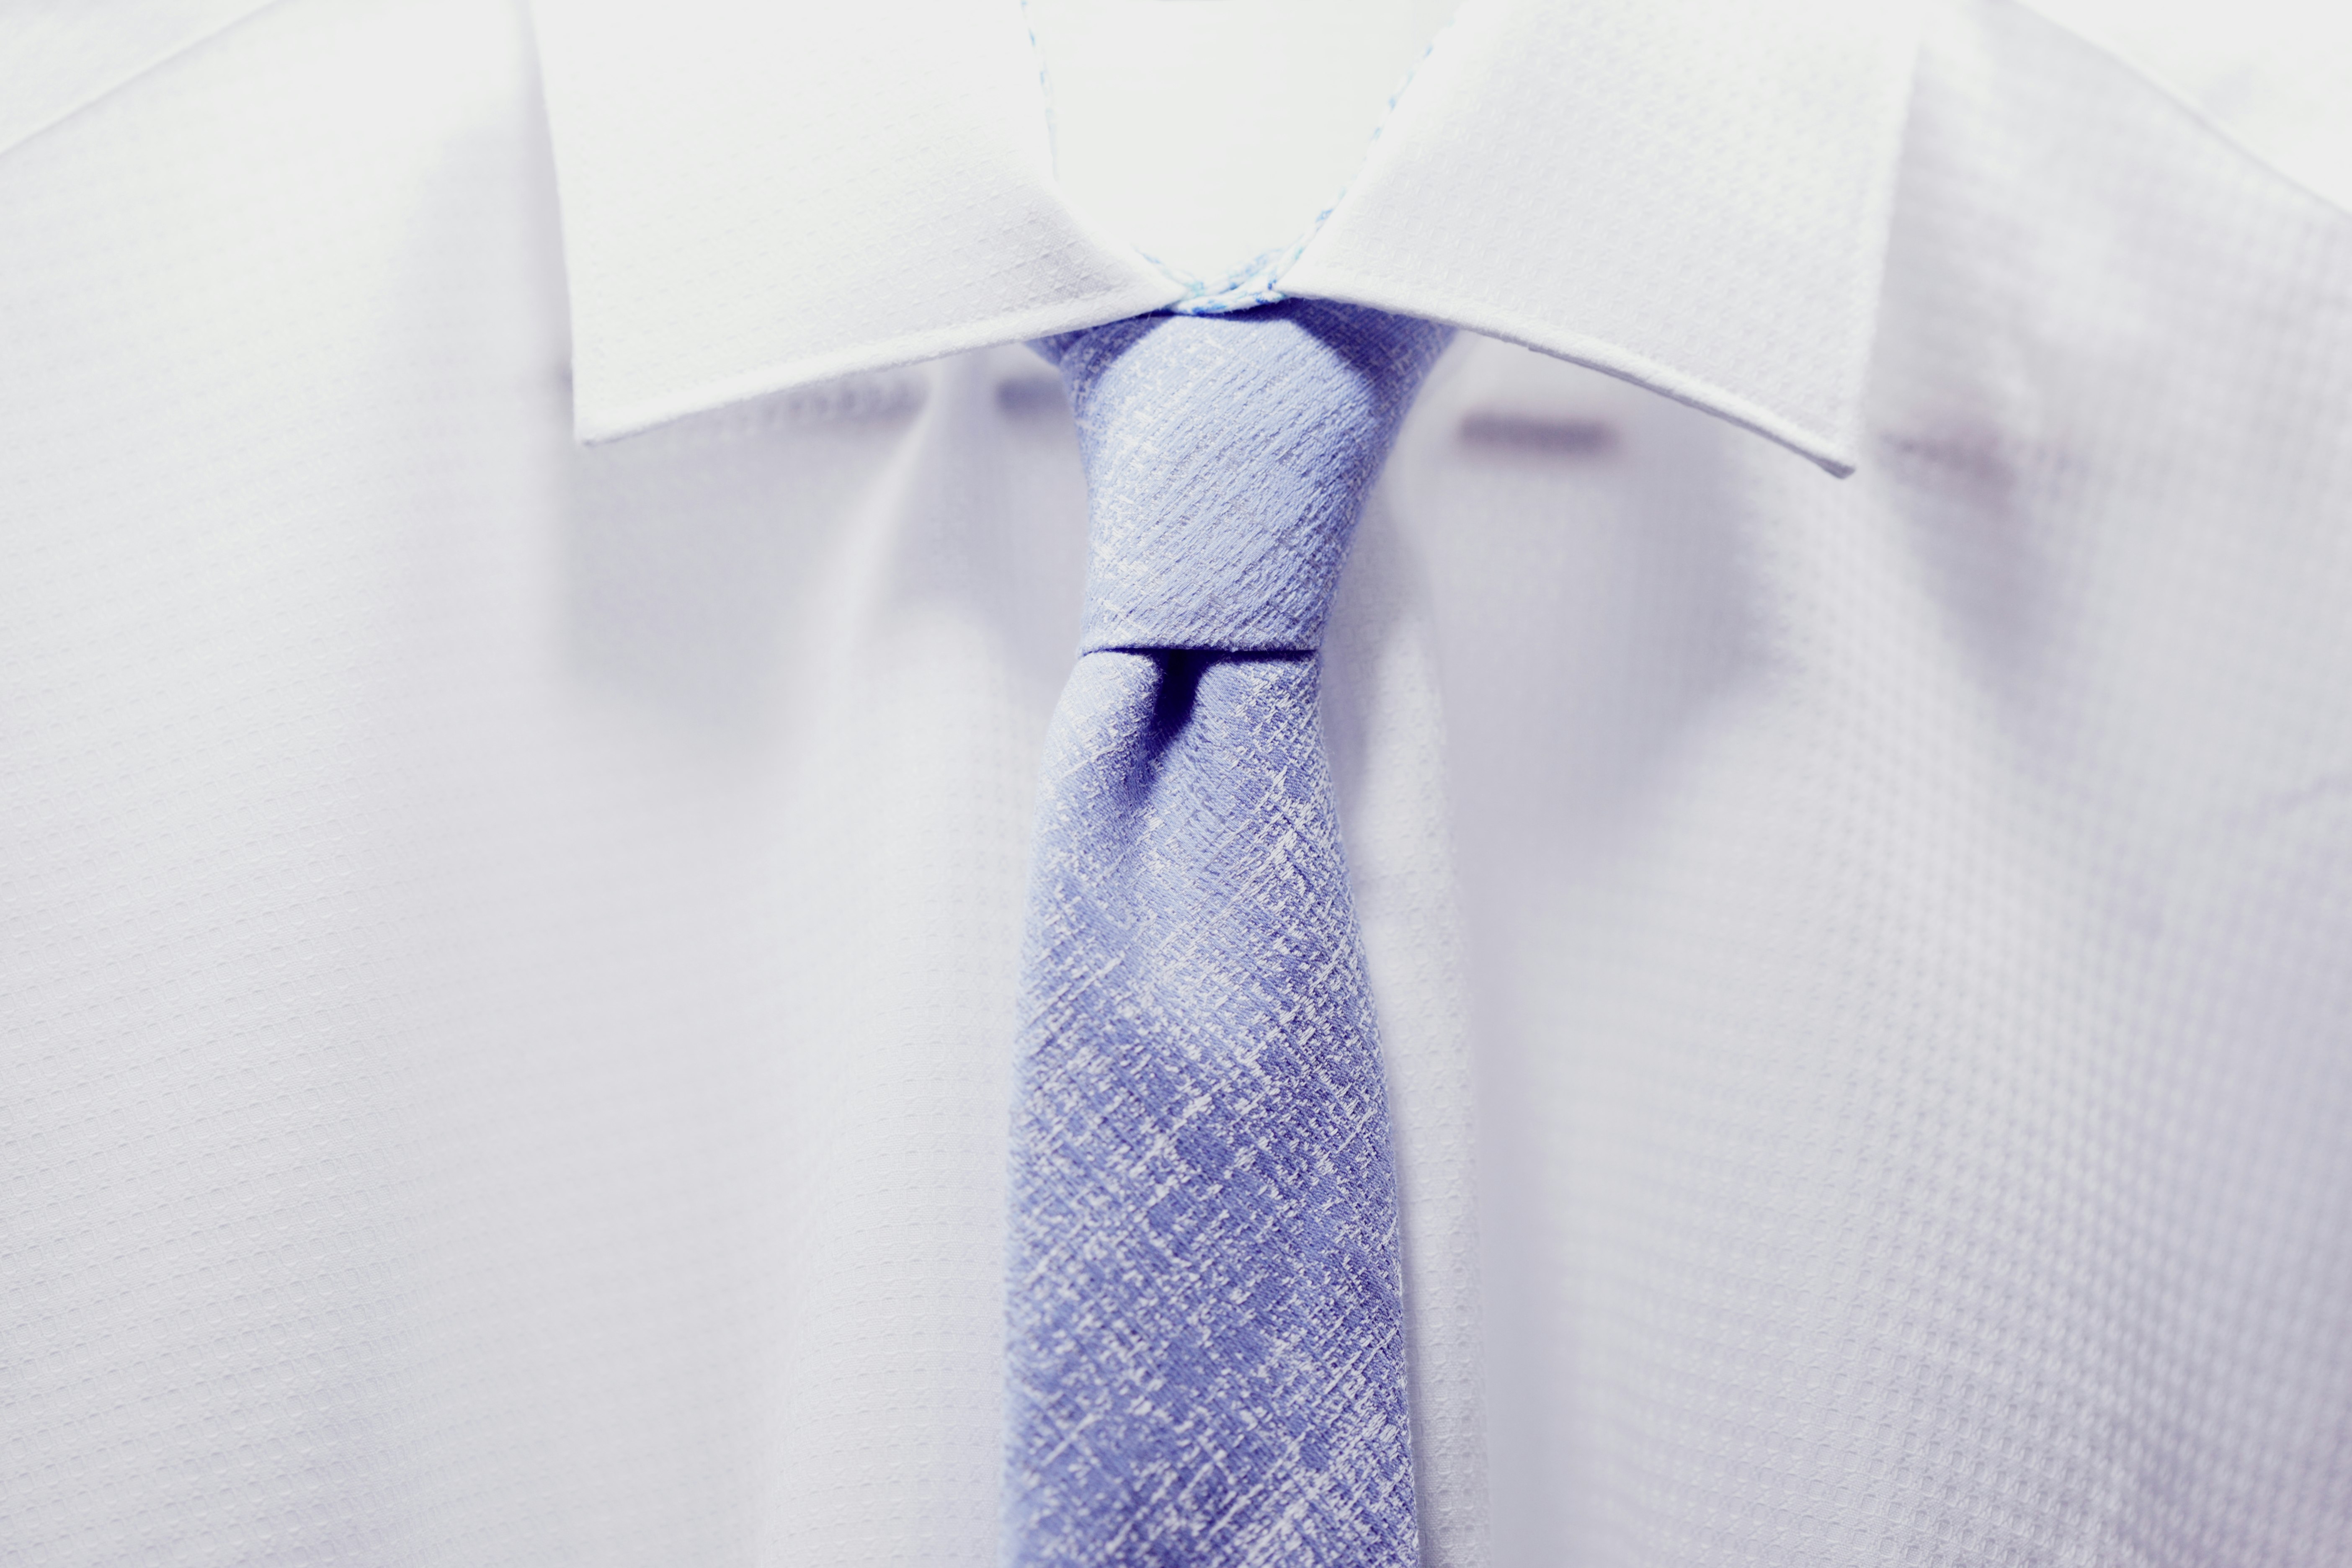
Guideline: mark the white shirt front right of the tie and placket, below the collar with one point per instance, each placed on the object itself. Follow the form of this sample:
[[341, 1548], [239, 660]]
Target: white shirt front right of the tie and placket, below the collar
[[1913, 1024]]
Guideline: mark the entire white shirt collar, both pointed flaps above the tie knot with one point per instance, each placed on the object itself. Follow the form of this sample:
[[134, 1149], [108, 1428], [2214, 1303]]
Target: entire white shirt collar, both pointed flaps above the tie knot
[[1688, 194]]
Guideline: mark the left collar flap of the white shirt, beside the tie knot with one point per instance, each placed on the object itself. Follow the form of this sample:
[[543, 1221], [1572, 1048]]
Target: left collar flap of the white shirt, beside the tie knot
[[911, 213]]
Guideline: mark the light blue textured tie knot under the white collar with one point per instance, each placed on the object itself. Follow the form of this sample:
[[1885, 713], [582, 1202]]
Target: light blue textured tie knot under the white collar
[[1227, 467]]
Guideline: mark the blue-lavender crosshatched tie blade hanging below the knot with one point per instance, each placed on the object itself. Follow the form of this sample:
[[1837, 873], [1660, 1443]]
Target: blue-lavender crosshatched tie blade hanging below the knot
[[1208, 1336]]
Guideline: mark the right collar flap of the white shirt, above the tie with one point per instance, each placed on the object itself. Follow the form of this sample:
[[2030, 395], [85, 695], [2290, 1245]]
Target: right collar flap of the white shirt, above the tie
[[1690, 194]]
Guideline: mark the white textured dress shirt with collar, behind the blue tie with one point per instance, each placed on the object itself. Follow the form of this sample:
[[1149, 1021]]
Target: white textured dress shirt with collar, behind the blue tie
[[507, 946]]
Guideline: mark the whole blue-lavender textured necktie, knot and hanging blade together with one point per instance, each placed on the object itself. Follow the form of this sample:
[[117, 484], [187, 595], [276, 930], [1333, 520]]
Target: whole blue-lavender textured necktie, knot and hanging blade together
[[1208, 1327]]
